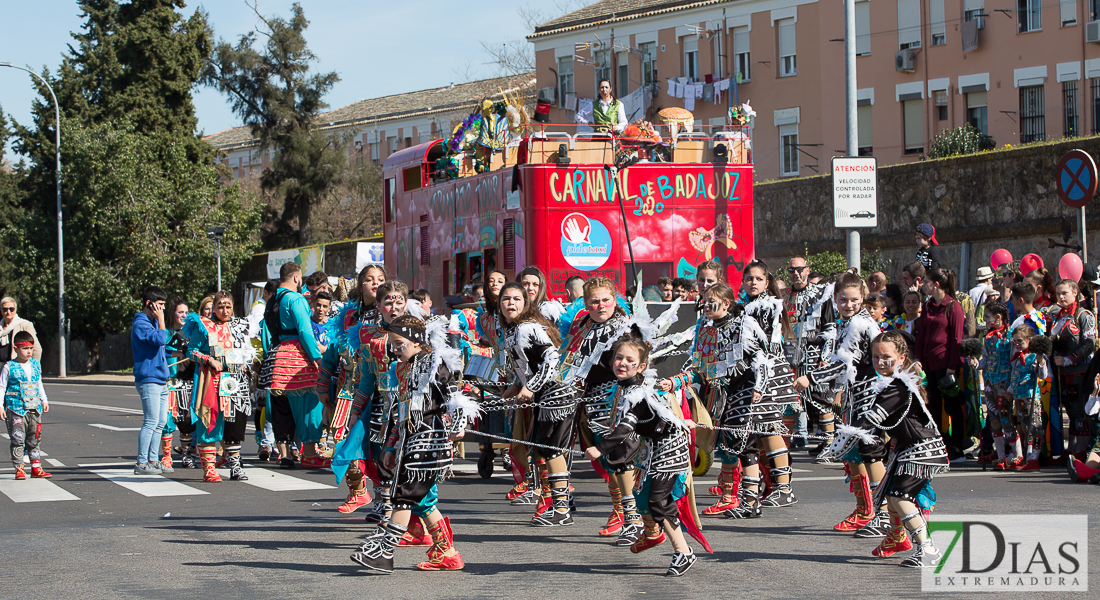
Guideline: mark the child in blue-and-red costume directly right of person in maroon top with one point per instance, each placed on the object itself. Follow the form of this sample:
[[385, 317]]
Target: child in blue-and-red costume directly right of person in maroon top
[[996, 370]]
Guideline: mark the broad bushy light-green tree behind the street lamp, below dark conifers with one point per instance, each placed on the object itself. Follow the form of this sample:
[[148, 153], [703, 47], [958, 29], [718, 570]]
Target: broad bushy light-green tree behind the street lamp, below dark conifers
[[142, 217]]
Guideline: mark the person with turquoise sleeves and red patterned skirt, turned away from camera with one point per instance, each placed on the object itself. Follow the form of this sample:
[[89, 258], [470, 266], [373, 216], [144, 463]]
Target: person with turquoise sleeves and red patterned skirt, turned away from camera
[[291, 368]]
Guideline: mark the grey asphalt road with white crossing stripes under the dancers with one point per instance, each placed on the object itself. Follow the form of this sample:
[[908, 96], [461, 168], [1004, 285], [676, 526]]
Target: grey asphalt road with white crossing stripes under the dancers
[[91, 532]]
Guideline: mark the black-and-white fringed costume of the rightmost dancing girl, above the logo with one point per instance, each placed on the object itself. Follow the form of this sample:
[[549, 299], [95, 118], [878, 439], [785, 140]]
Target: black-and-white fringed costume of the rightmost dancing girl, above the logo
[[897, 408]]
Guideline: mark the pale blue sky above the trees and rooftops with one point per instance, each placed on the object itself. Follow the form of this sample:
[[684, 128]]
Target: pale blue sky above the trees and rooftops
[[378, 48]]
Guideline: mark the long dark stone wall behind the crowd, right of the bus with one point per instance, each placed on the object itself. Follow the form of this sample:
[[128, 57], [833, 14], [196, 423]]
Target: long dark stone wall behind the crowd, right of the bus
[[1006, 199]]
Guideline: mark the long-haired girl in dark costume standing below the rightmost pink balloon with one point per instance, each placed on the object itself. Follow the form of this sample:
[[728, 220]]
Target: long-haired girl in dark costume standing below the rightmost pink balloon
[[1074, 336]]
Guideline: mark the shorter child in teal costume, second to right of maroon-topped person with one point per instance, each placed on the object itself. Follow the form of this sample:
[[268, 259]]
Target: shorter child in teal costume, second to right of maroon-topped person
[[1025, 394]]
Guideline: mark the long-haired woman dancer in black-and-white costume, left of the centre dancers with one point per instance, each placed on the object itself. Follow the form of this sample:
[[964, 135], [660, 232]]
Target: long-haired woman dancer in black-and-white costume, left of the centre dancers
[[531, 343]]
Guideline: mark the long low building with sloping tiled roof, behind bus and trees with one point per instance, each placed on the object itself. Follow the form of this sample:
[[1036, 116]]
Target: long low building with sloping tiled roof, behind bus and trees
[[379, 127]]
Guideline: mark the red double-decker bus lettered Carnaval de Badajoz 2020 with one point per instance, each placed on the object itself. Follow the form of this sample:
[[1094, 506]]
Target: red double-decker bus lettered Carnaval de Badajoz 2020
[[555, 202]]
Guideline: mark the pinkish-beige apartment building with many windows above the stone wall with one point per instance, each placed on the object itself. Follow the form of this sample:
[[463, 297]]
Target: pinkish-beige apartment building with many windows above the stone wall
[[1020, 71]]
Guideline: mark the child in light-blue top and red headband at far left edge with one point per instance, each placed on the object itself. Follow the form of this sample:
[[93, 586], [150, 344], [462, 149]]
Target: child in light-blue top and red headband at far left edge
[[25, 400]]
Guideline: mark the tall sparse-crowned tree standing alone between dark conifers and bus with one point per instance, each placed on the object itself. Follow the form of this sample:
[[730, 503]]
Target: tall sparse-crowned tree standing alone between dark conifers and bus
[[274, 93]]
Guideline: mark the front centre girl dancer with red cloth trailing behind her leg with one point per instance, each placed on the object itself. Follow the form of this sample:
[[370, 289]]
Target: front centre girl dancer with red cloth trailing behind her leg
[[646, 426]]
